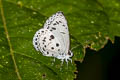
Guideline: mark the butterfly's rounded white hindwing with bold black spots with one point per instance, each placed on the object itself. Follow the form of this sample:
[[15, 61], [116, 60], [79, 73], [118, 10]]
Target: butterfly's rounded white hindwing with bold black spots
[[46, 42]]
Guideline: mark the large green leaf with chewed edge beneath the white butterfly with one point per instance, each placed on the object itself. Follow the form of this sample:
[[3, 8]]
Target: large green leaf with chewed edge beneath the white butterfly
[[91, 23]]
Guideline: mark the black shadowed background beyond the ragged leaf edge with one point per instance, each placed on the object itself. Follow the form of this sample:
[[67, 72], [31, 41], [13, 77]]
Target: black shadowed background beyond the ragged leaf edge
[[101, 65]]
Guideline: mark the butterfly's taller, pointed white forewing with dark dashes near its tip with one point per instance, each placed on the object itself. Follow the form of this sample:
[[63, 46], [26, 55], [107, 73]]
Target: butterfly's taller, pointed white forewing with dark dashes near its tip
[[57, 24]]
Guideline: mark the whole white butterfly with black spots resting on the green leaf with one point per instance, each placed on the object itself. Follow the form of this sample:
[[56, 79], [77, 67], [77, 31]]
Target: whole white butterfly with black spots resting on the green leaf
[[53, 39]]
